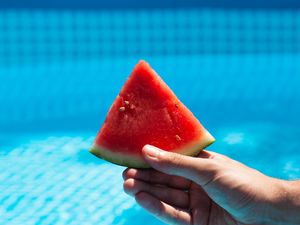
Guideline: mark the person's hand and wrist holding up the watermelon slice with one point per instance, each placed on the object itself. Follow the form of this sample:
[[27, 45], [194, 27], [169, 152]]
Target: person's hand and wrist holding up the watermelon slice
[[211, 189]]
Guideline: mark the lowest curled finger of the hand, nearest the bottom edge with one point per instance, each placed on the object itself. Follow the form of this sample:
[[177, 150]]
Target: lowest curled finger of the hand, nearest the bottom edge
[[162, 210]]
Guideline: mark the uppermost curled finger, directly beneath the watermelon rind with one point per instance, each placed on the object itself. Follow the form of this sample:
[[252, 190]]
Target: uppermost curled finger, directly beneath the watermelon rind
[[156, 177]]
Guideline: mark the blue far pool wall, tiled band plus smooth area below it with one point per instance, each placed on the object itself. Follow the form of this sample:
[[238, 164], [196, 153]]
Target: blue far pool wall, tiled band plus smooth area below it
[[67, 65]]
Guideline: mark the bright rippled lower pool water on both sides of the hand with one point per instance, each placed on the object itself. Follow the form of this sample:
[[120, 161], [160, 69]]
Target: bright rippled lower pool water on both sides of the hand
[[54, 179]]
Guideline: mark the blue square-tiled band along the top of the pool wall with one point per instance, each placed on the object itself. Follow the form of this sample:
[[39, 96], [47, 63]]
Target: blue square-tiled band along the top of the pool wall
[[31, 36]]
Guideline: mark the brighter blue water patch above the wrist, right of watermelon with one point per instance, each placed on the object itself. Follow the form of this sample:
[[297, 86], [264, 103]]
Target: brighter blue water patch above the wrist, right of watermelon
[[269, 147]]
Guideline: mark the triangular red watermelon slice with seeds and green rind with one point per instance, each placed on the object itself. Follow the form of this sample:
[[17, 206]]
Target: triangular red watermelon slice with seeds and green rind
[[147, 112]]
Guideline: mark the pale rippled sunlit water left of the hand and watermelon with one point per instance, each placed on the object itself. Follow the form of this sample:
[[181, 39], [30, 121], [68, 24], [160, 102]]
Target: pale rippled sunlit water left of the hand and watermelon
[[54, 179]]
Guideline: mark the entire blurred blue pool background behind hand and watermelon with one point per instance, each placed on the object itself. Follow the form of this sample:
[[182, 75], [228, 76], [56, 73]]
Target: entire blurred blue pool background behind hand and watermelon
[[235, 64]]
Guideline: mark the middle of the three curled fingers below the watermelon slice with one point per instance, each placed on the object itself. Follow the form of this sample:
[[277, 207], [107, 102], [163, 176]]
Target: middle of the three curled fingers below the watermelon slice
[[169, 195]]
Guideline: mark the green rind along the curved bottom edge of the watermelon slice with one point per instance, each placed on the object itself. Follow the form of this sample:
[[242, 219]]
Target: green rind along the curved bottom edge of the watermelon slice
[[134, 161]]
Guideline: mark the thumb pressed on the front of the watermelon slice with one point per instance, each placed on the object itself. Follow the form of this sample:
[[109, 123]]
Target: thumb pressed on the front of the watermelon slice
[[199, 170]]
